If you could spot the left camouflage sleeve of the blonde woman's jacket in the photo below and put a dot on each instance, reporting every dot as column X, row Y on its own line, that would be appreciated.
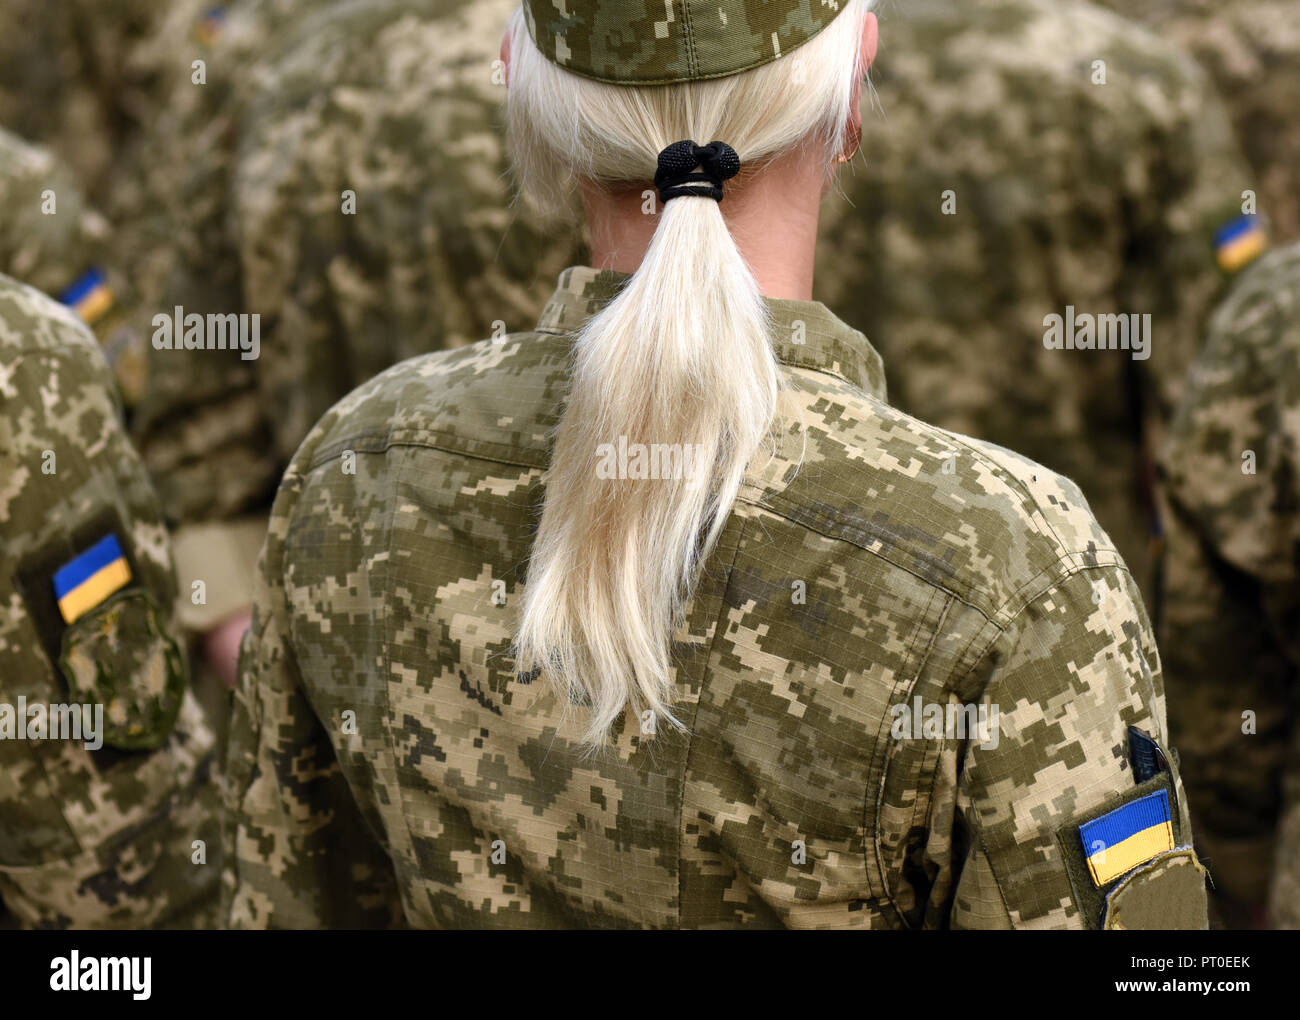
column 302, row 856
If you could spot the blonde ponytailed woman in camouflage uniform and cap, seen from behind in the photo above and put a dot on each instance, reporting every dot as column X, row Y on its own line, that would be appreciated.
column 660, row 615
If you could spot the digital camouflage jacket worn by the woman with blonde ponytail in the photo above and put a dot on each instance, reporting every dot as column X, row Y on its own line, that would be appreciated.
column 388, row 765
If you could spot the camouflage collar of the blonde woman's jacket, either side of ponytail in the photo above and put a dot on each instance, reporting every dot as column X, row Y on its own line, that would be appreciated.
column 807, row 333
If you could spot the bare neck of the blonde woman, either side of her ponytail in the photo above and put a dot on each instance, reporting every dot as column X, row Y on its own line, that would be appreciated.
column 773, row 216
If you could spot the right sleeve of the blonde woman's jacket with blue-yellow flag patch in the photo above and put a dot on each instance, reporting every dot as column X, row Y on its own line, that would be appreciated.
column 1068, row 680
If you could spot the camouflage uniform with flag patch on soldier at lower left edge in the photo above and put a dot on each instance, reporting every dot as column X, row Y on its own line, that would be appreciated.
column 90, row 837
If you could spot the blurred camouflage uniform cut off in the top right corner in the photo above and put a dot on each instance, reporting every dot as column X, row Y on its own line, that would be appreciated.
column 1253, row 51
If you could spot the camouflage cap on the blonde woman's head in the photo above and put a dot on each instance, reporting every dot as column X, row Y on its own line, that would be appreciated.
column 661, row 42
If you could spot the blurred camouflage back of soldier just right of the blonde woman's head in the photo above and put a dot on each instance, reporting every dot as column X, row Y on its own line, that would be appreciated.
column 1068, row 193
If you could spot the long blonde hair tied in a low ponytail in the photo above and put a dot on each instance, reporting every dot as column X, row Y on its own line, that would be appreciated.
column 679, row 362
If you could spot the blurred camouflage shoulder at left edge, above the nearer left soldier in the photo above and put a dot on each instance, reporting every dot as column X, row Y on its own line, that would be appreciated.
column 51, row 240
